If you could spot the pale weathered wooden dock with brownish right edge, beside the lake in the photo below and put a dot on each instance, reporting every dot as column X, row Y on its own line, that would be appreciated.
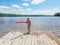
column 35, row 38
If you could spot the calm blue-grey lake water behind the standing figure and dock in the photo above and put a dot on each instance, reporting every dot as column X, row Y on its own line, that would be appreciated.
column 8, row 24
